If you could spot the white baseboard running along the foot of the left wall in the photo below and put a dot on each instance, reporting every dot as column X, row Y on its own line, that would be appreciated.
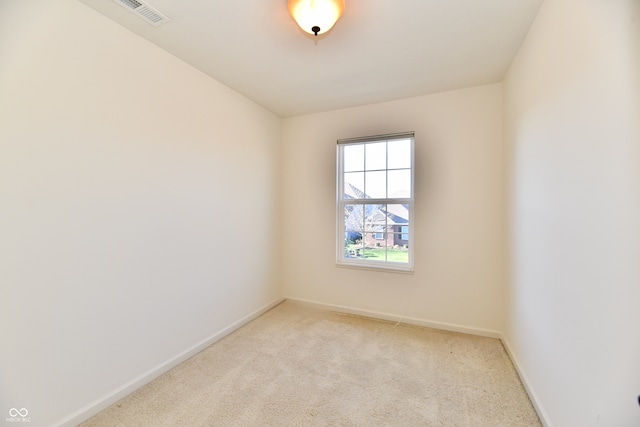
column 104, row 402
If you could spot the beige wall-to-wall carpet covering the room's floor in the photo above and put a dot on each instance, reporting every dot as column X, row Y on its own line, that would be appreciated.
column 301, row 366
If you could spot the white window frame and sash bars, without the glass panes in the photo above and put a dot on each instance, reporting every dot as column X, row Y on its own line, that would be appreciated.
column 341, row 201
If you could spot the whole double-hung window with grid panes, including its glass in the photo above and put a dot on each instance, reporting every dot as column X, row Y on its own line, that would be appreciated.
column 375, row 201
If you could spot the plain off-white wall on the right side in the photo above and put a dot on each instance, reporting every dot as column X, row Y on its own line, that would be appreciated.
column 572, row 115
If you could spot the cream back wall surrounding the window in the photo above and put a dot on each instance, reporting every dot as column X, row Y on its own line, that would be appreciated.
column 459, row 212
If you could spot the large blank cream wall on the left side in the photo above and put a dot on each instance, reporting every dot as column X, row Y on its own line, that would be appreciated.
column 138, row 208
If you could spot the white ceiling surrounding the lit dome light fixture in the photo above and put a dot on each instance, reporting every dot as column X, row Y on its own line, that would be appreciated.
column 379, row 50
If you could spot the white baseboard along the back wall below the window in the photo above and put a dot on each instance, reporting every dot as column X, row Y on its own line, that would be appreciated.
column 404, row 319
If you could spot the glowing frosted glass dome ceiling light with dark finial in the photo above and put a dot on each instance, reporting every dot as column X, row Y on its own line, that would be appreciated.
column 316, row 16
